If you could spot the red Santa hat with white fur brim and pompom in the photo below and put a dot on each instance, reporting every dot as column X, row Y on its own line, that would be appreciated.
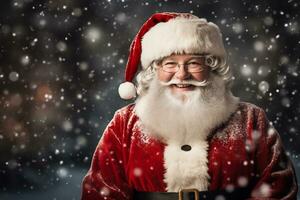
column 164, row 34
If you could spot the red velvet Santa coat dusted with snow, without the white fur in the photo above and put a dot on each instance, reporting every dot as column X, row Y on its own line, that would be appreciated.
column 243, row 152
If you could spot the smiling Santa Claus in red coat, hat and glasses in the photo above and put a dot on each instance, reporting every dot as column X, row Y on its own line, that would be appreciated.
column 186, row 136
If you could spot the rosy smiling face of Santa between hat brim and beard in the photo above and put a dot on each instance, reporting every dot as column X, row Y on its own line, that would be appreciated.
column 181, row 69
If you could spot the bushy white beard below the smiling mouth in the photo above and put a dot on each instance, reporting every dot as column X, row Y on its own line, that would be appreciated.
column 184, row 117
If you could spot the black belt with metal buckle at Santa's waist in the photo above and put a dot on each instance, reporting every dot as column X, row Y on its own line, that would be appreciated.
column 193, row 194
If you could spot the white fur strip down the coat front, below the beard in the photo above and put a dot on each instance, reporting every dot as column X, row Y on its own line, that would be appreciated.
column 186, row 169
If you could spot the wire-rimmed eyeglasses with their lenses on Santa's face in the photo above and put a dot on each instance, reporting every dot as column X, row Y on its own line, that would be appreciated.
column 194, row 65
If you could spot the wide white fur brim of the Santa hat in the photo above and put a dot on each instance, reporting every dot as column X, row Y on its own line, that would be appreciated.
column 182, row 35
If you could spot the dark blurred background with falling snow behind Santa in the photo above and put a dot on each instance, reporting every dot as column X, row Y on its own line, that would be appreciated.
column 61, row 63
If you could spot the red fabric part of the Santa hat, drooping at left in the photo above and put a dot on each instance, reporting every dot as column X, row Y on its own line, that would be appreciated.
column 136, row 45
